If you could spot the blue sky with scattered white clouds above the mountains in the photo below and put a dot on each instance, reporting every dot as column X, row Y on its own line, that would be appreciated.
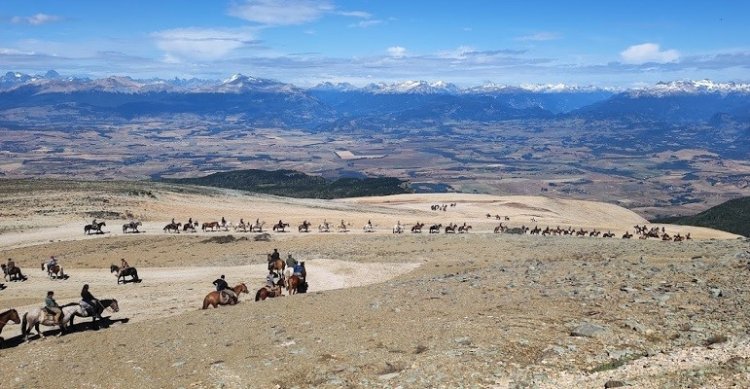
column 603, row 43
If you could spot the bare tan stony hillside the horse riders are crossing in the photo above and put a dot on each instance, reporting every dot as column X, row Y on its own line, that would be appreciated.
column 384, row 310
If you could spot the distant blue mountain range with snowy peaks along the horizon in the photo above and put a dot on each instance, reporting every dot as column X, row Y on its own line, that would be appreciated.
column 257, row 101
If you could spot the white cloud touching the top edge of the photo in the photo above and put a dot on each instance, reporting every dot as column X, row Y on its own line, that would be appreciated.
column 274, row 12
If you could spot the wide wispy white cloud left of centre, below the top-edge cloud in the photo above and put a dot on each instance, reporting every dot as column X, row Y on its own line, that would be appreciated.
column 198, row 43
